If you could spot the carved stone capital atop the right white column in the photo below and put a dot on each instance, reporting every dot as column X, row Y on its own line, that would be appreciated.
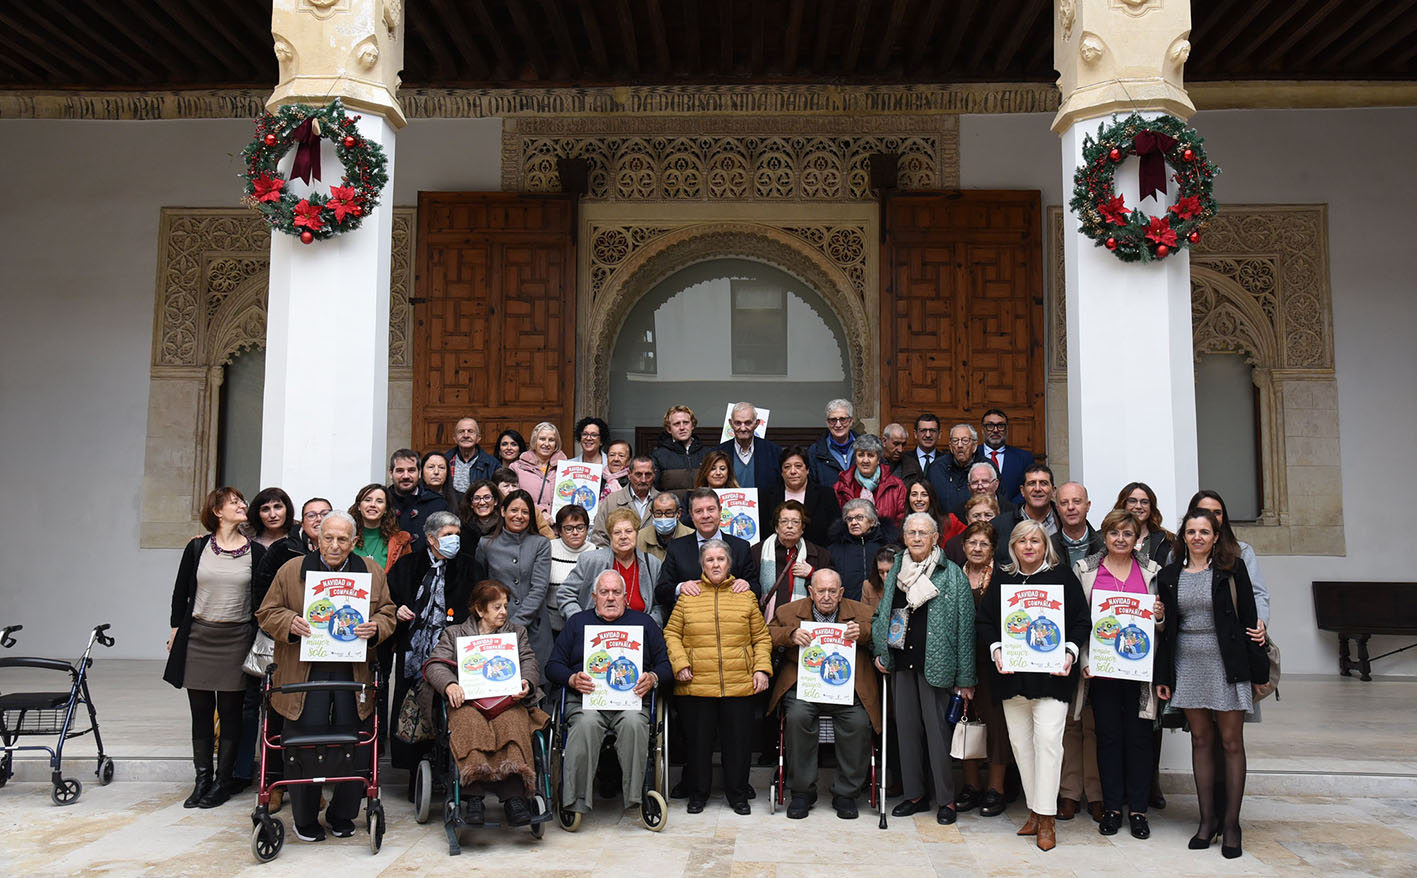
column 1122, row 56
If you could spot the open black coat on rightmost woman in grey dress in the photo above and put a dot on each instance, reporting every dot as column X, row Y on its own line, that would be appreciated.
column 1245, row 659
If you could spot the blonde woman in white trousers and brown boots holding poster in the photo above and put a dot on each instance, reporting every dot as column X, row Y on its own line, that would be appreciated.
column 1034, row 620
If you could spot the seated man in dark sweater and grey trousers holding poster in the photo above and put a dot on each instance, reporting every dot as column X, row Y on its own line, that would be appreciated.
column 614, row 656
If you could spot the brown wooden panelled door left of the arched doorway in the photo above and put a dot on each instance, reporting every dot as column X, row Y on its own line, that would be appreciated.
column 495, row 315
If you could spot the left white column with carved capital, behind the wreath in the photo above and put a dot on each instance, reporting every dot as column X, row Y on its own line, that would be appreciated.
column 327, row 386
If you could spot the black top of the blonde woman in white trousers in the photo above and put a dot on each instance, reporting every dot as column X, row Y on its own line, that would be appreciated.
column 1078, row 625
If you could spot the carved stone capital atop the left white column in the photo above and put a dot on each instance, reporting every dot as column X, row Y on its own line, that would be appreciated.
column 339, row 49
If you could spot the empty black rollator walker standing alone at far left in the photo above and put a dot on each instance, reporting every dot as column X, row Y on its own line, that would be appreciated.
column 33, row 714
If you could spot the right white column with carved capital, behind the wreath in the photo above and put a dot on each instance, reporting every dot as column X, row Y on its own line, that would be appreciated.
column 1131, row 382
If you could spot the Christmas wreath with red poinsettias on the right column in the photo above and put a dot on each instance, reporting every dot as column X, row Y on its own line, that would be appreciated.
column 1130, row 233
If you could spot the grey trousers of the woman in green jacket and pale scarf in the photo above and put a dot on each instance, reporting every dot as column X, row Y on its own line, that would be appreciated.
column 922, row 722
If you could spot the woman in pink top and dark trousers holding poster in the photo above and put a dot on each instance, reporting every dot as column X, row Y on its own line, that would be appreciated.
column 1122, row 590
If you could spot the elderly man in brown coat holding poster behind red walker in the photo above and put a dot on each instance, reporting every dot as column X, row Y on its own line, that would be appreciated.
column 286, row 617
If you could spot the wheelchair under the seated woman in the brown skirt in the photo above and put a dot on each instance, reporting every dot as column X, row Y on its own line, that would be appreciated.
column 439, row 770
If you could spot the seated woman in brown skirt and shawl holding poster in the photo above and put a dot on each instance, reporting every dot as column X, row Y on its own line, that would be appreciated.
column 494, row 753
